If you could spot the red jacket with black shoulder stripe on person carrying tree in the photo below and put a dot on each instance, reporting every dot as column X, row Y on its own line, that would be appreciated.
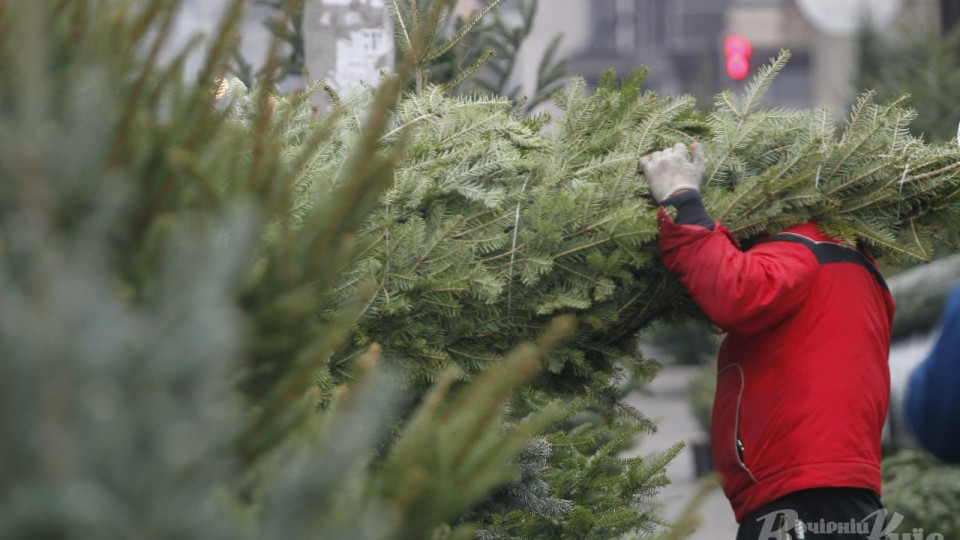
column 803, row 381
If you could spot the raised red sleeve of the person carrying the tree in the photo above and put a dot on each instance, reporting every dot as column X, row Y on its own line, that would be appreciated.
column 741, row 292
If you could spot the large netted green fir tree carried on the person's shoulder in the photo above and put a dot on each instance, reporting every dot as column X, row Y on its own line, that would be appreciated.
column 494, row 224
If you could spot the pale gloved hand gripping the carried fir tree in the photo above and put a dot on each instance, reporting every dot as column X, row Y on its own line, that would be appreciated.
column 671, row 170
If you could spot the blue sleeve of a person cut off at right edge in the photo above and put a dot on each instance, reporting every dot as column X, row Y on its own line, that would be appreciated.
column 933, row 394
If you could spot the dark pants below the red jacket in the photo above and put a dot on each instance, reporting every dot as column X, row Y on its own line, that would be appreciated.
column 826, row 514
